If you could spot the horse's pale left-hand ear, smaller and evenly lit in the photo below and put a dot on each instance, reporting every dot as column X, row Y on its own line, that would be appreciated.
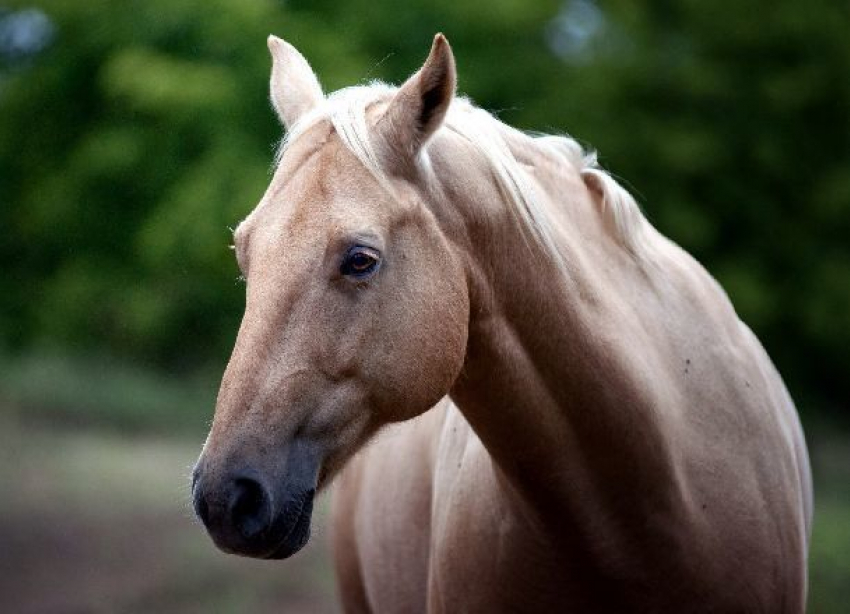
column 294, row 88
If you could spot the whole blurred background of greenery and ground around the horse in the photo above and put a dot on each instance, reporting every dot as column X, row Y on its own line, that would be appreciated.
column 134, row 134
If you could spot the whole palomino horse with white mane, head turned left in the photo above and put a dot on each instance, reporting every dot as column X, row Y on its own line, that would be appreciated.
column 616, row 440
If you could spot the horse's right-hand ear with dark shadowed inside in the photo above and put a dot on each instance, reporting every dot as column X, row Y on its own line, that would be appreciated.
column 420, row 105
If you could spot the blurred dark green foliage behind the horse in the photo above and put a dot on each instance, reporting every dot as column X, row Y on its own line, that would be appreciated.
column 142, row 131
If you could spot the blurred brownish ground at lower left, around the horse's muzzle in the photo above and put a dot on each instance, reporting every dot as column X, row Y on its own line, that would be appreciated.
column 91, row 522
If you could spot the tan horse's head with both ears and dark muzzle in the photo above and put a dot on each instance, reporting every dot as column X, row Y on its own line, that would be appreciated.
column 356, row 315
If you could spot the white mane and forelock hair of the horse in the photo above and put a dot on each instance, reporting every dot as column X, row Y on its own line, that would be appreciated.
column 347, row 111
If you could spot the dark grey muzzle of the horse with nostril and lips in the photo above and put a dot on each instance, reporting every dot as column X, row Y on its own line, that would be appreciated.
column 245, row 514
